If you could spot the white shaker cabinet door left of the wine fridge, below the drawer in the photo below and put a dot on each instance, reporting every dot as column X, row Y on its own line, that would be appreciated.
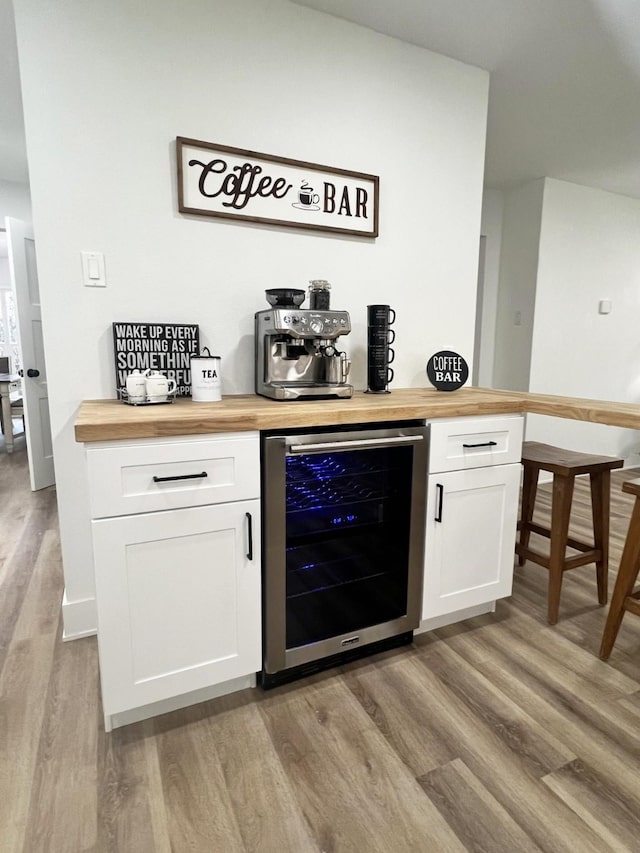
column 178, row 601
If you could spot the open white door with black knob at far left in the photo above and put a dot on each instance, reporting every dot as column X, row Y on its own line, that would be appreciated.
column 24, row 281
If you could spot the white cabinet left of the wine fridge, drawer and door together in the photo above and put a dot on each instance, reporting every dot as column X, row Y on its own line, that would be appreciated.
column 177, row 590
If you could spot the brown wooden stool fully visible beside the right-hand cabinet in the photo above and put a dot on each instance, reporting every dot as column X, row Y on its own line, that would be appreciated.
column 565, row 465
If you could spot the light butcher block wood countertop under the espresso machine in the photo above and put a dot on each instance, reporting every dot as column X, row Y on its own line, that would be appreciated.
column 111, row 420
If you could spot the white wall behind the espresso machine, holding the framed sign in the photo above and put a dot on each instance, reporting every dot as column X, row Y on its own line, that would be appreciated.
column 106, row 89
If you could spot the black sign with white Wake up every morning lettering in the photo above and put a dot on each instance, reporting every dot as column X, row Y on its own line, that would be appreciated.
column 167, row 347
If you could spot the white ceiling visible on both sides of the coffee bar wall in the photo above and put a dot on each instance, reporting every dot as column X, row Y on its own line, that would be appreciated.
column 565, row 81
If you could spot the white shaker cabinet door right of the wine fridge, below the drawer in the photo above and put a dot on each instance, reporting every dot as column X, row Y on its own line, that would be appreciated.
column 470, row 538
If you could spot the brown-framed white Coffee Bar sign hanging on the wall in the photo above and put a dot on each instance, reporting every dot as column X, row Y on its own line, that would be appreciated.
column 215, row 180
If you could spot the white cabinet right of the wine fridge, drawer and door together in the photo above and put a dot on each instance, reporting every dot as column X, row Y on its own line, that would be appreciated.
column 471, row 513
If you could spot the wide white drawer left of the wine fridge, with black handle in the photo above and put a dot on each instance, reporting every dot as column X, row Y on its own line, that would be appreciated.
column 147, row 476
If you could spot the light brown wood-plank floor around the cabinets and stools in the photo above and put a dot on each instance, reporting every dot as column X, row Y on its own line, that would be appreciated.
column 497, row 734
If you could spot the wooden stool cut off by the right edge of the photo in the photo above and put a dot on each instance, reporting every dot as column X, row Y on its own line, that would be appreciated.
column 623, row 597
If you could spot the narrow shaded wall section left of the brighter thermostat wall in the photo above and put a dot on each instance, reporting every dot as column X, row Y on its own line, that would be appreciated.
column 517, row 289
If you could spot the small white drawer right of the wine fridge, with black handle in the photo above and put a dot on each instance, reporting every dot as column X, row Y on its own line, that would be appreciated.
column 462, row 443
